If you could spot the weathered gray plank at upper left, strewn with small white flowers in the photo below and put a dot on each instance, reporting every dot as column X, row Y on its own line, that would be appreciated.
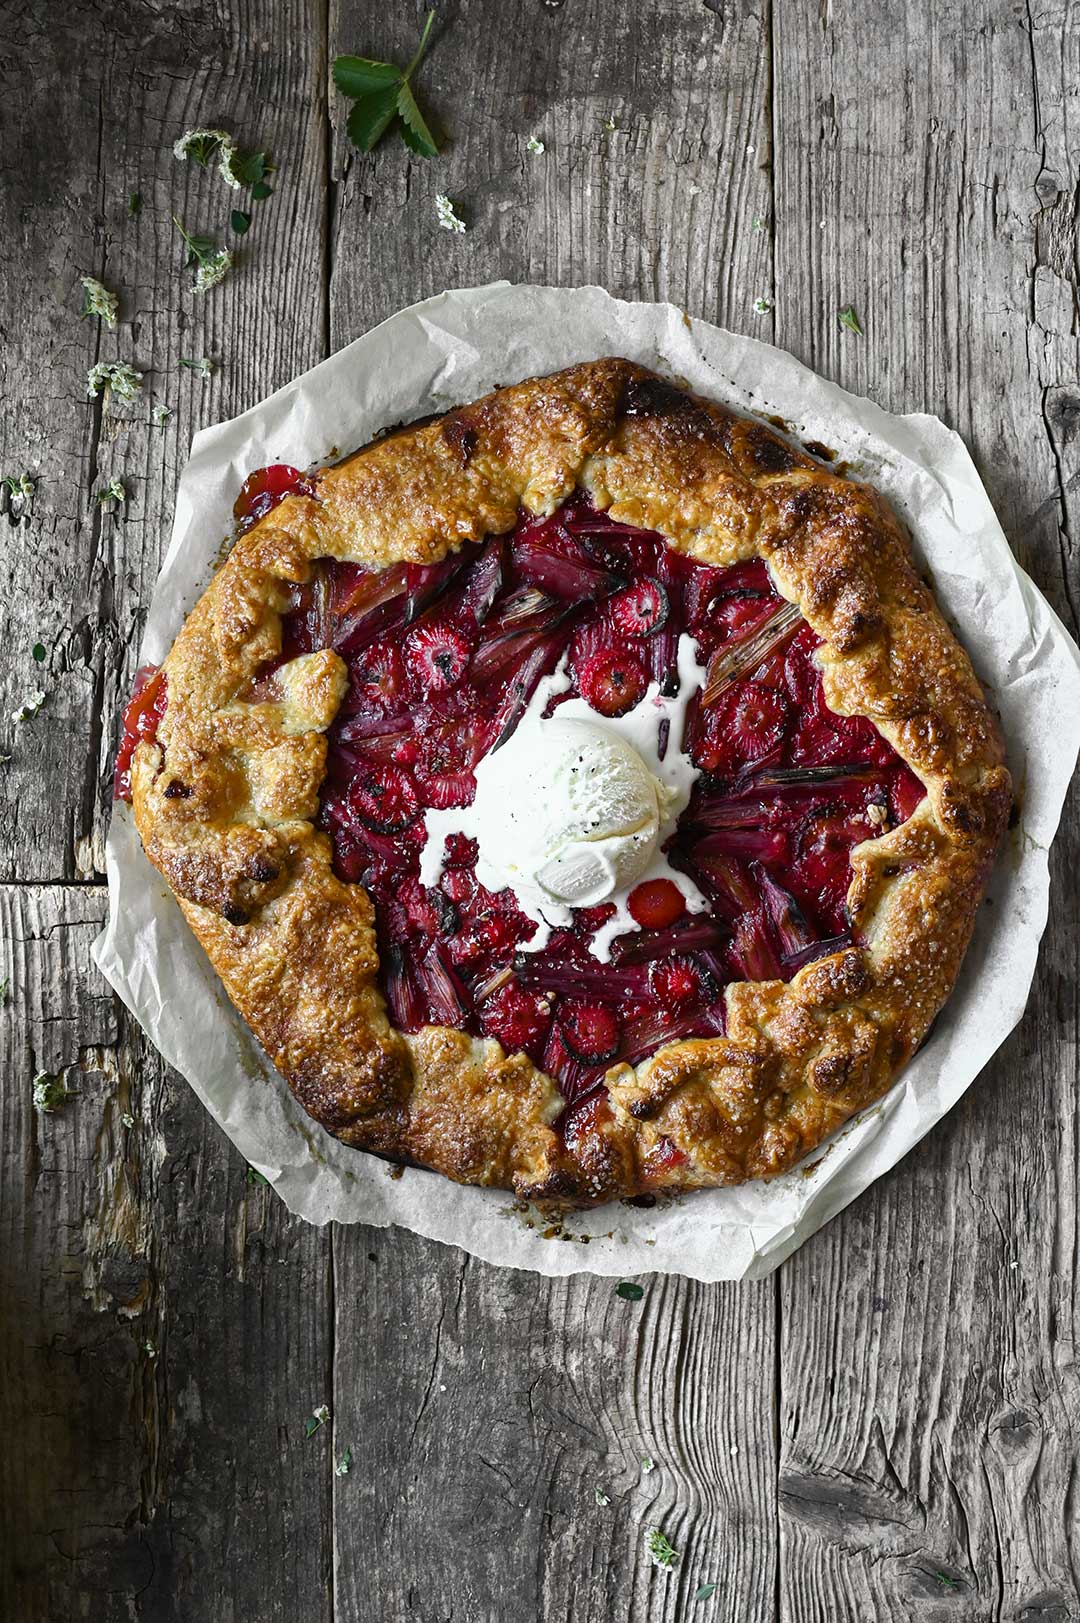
column 79, row 579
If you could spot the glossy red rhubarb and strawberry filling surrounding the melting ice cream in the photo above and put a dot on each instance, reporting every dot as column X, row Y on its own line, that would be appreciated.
column 444, row 661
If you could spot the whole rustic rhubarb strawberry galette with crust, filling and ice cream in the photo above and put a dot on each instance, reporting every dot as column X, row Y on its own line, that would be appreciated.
column 579, row 794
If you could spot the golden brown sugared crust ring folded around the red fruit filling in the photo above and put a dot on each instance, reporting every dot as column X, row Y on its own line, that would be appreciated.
column 227, row 796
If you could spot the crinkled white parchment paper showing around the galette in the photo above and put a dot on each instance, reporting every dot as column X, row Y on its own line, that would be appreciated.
column 443, row 353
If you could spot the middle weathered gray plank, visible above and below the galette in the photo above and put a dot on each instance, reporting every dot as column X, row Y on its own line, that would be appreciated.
column 485, row 1410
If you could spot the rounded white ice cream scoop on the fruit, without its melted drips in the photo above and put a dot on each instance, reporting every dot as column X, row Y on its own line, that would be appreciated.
column 568, row 809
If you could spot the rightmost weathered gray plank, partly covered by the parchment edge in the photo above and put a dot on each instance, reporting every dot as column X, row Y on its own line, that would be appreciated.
column 930, row 1406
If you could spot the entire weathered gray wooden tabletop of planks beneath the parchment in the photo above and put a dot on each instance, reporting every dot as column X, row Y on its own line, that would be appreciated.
column 888, row 1429
